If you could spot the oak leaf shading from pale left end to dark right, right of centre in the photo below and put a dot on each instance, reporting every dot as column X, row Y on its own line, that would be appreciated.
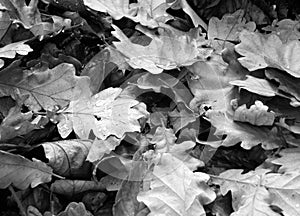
column 248, row 135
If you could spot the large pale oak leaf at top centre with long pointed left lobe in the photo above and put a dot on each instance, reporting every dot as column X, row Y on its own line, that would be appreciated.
column 169, row 50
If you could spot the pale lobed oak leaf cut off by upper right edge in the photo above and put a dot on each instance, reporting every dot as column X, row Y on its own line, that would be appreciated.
column 259, row 51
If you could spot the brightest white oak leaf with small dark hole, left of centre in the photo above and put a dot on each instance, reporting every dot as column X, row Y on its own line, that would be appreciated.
column 103, row 113
